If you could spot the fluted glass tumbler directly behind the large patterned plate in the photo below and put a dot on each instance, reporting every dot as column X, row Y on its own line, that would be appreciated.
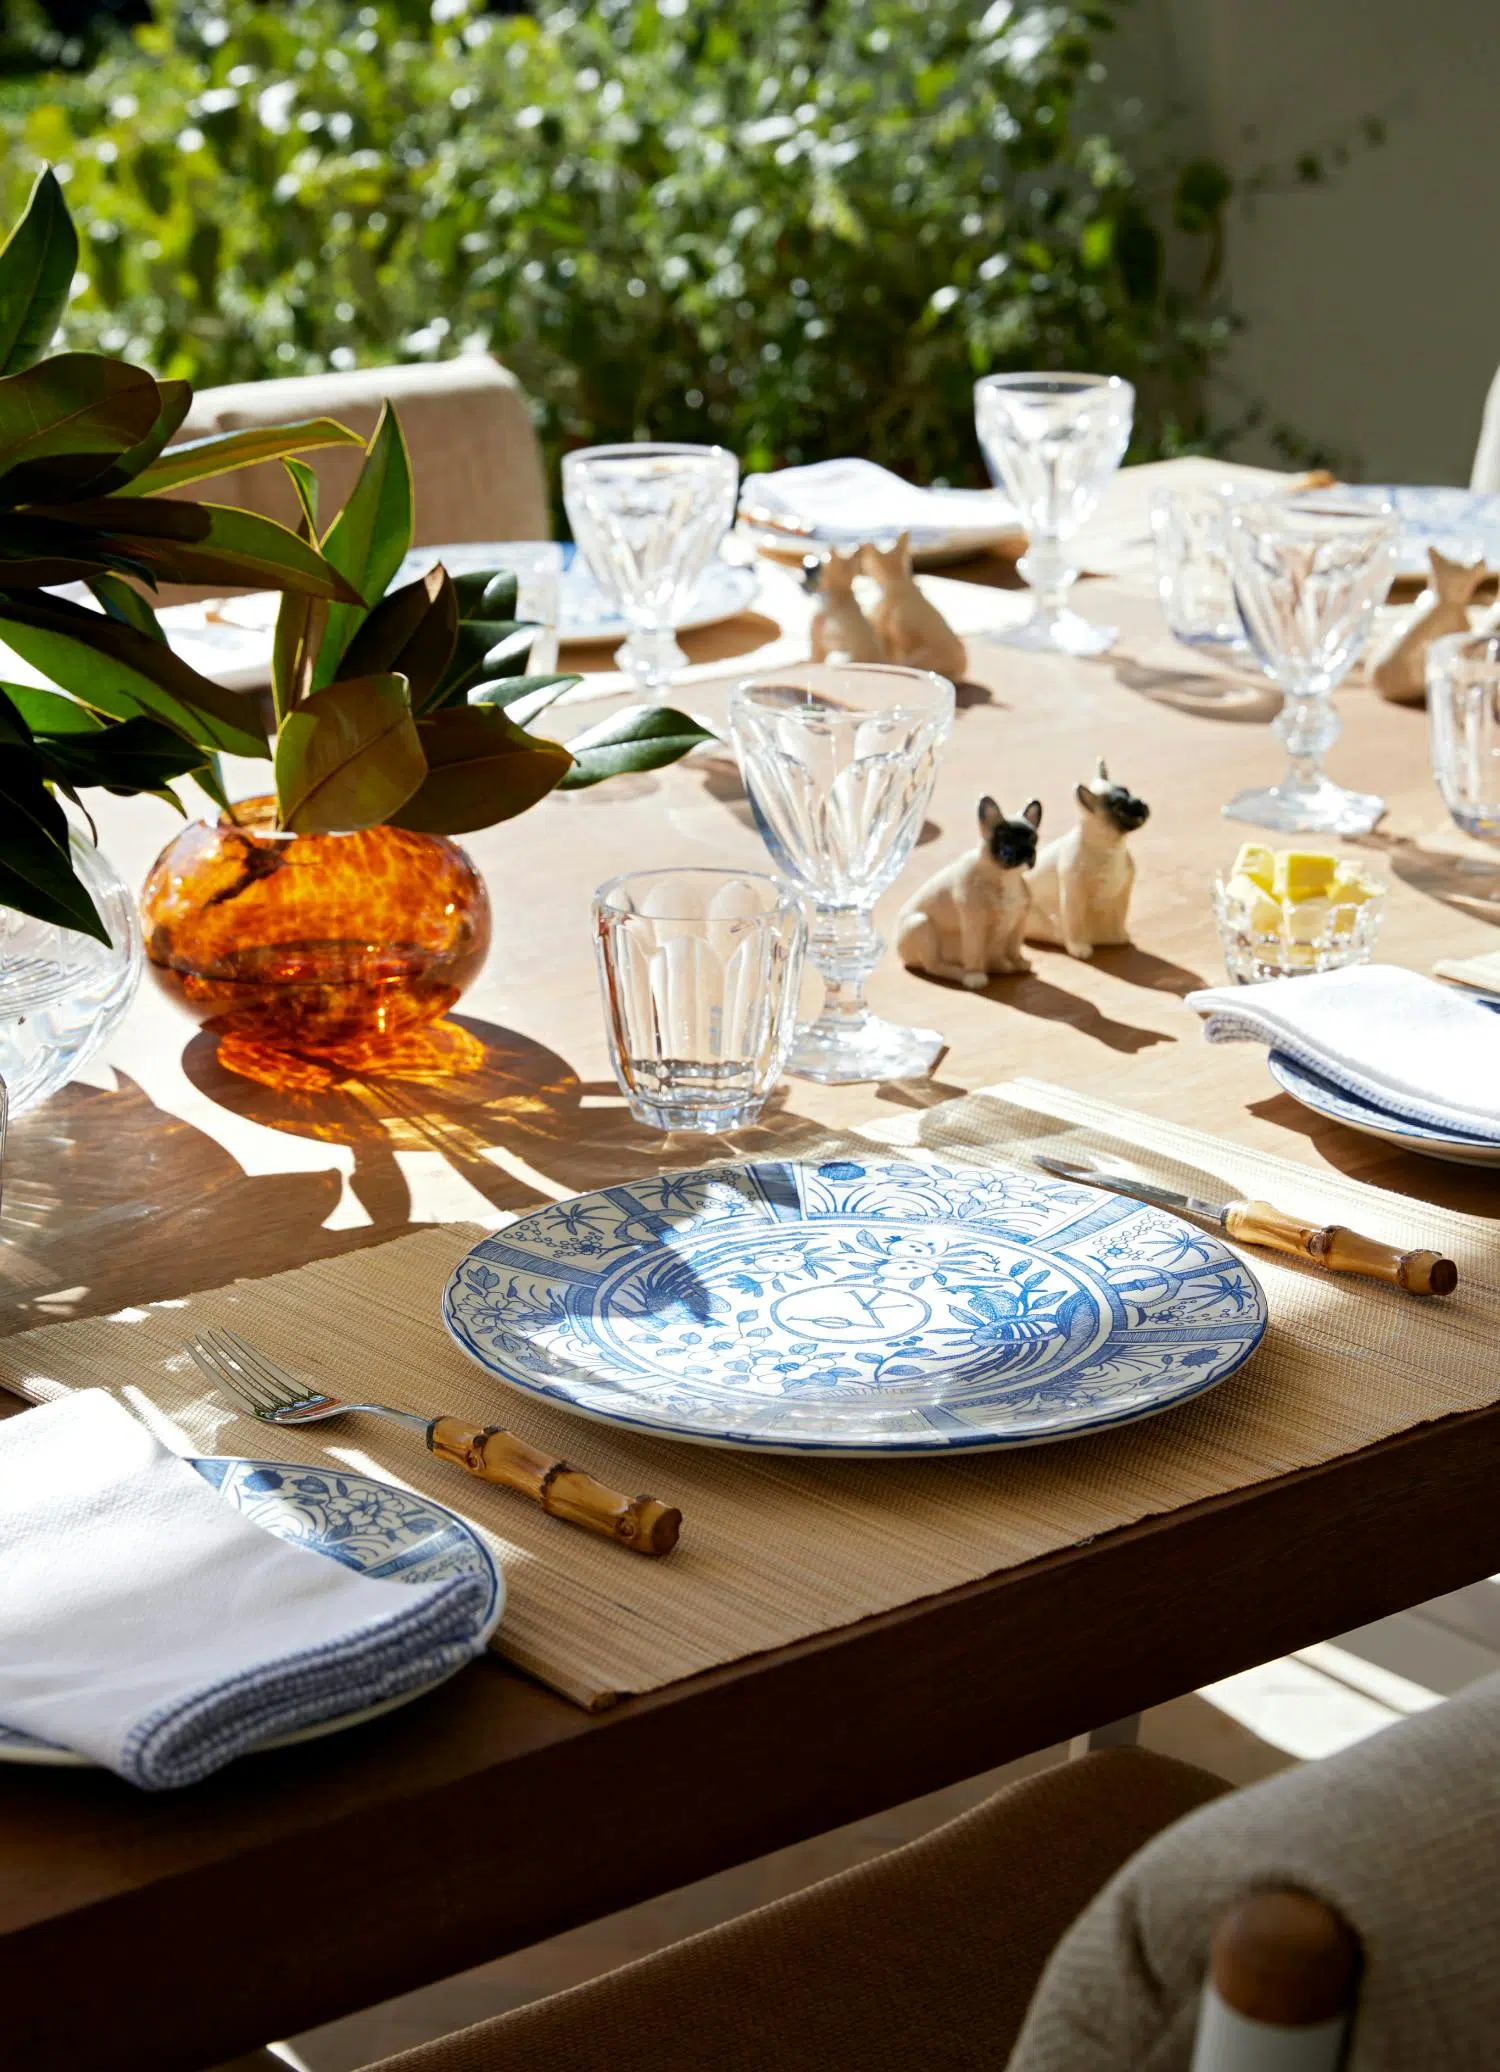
column 699, row 975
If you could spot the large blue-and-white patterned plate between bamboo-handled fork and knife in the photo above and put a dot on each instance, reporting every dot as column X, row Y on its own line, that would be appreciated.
column 857, row 1308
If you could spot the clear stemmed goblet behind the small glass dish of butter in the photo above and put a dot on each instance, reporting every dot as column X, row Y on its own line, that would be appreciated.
column 1308, row 577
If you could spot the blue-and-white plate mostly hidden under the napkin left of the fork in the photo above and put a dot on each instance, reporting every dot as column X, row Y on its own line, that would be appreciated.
column 366, row 1524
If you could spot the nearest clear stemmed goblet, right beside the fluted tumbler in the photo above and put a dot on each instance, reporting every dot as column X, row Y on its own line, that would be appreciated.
column 838, row 764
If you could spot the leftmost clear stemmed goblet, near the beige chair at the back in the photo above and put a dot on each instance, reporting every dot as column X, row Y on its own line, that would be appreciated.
column 650, row 519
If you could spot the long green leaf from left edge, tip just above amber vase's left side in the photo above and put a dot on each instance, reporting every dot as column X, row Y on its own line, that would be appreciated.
column 123, row 672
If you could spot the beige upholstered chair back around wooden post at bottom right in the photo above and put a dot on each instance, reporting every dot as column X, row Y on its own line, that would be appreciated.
column 1400, row 1835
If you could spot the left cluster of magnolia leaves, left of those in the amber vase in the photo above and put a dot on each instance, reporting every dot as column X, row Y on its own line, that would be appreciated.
column 82, row 449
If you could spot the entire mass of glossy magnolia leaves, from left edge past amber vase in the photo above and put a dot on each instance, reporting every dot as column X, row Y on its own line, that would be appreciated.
column 401, row 708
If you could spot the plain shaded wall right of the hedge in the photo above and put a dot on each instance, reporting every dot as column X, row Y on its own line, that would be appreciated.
column 1375, row 304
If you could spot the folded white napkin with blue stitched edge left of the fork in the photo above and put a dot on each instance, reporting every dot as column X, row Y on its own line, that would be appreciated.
column 152, row 1628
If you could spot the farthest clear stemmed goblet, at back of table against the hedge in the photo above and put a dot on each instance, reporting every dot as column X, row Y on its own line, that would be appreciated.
column 1051, row 442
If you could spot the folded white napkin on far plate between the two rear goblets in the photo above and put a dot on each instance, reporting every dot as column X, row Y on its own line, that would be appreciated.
column 857, row 500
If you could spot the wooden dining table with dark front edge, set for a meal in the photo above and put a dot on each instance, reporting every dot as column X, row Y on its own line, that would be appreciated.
column 173, row 1932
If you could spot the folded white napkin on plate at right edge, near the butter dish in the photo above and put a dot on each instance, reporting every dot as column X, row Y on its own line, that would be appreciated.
column 1404, row 1043
